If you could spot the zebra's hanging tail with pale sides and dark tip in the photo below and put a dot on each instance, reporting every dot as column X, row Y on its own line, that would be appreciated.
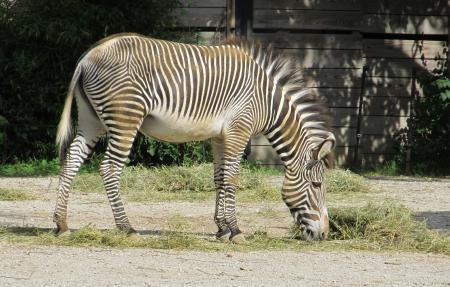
column 64, row 132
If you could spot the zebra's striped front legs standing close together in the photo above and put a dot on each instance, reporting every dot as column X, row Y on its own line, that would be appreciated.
column 233, row 144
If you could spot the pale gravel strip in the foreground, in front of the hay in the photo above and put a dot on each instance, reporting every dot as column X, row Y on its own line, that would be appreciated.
column 57, row 266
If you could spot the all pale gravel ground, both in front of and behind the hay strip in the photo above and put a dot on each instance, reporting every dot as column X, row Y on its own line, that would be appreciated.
column 62, row 266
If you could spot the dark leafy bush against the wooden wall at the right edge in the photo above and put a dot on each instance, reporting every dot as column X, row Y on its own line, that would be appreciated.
column 428, row 132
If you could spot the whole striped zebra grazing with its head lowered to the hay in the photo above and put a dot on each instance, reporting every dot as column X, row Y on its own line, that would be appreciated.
column 175, row 92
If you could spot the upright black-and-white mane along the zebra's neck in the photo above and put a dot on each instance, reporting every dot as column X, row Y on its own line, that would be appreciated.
column 286, row 72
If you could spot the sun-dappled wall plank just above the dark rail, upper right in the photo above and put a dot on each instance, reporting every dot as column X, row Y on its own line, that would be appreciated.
column 404, row 24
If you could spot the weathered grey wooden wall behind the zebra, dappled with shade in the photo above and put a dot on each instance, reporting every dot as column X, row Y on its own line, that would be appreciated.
column 333, row 40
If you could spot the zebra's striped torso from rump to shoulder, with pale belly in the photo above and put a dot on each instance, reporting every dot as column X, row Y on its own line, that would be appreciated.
column 178, row 87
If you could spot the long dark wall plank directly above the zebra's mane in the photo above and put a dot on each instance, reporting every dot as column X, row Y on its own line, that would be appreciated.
column 285, row 39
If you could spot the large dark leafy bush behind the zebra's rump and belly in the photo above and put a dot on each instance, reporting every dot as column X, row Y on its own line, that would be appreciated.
column 41, row 43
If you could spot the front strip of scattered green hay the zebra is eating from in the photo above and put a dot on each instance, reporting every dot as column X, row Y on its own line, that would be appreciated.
column 372, row 228
